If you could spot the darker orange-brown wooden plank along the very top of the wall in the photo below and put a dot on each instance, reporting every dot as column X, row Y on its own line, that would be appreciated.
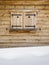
column 24, row 2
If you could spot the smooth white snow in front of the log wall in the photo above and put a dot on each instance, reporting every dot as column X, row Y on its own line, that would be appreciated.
column 25, row 56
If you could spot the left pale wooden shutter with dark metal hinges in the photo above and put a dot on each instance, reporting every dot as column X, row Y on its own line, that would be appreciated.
column 16, row 20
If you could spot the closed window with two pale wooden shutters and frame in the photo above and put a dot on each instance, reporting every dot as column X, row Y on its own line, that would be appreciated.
column 23, row 21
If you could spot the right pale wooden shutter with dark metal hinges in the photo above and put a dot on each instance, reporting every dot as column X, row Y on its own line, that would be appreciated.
column 30, row 19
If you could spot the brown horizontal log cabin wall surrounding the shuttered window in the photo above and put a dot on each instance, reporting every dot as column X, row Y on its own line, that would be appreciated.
column 34, row 38
